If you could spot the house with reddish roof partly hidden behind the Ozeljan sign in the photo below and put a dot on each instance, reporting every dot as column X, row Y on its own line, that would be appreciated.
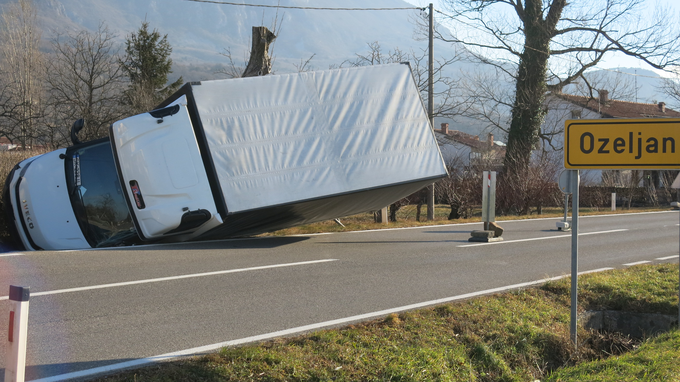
column 562, row 107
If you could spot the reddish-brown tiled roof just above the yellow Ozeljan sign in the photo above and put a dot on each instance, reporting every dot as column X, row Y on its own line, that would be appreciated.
column 620, row 109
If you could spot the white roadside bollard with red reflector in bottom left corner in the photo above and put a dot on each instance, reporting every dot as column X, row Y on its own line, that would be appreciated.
column 17, row 334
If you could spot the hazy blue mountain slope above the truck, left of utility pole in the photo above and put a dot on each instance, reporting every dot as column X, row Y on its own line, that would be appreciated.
column 199, row 31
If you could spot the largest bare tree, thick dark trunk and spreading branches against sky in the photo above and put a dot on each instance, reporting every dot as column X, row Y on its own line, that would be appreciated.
column 547, row 44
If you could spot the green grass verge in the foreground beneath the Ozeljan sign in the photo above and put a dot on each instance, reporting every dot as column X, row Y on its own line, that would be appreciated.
column 516, row 336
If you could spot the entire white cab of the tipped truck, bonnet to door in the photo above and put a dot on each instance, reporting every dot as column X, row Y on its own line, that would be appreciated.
column 148, row 185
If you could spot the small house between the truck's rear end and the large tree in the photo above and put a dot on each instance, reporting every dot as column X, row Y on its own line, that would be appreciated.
column 459, row 148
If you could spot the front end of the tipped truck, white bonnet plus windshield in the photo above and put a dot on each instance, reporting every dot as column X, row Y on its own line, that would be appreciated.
column 68, row 199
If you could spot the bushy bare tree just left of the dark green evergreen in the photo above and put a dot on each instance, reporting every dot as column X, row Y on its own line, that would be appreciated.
column 84, row 80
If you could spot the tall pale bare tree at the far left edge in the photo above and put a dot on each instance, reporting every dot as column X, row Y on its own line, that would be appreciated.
column 22, row 71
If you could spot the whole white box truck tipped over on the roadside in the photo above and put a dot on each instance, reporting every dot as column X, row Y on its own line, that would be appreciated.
column 231, row 158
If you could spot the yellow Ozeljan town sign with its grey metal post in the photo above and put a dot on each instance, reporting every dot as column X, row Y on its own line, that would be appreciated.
column 604, row 144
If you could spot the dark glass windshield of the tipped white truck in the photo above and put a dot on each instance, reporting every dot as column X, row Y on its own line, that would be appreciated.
column 96, row 196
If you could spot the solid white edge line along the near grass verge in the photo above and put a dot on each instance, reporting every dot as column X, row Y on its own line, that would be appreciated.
column 291, row 331
